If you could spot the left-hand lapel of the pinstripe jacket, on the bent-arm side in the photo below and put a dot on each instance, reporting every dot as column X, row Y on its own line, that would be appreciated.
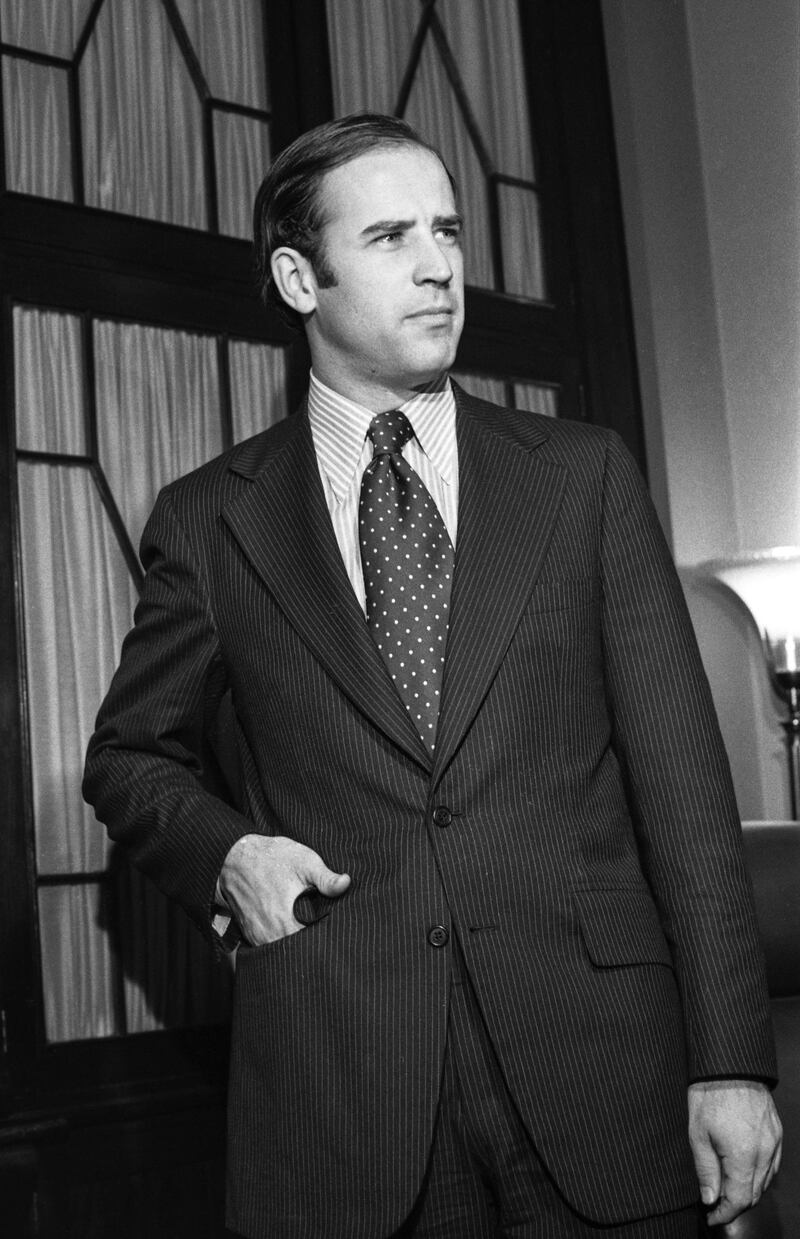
column 283, row 525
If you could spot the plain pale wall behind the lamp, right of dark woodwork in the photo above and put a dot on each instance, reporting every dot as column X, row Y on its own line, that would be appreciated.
column 708, row 120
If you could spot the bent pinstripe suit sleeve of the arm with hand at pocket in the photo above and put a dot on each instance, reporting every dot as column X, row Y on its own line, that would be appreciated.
column 150, row 773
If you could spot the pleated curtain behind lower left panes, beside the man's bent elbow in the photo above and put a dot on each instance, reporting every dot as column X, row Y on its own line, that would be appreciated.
column 117, row 957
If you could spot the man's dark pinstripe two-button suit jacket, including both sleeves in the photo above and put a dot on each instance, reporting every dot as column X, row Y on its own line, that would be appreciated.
column 590, row 860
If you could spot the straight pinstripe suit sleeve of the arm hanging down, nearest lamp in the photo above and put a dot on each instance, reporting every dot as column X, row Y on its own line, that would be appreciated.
column 668, row 740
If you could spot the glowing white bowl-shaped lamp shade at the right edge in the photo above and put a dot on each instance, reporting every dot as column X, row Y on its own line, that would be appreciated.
column 768, row 584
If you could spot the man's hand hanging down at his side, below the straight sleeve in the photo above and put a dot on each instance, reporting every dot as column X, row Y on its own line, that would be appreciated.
column 736, row 1136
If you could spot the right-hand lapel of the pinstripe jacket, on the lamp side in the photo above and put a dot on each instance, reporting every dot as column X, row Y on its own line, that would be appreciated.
column 508, row 504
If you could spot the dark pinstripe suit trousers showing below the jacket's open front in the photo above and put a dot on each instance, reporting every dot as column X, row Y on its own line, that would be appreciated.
column 485, row 1179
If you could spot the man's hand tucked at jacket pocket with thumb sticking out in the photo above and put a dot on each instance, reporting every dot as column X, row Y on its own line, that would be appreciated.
column 262, row 878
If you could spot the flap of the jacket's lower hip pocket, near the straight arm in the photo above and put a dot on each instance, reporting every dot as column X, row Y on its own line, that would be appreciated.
column 621, row 929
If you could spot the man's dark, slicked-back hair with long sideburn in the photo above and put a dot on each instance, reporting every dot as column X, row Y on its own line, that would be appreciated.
column 288, row 208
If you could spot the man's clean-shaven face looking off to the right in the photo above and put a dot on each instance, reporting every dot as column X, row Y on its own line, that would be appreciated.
column 393, row 319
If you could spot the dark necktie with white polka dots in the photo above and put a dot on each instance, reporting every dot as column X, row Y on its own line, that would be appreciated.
column 408, row 561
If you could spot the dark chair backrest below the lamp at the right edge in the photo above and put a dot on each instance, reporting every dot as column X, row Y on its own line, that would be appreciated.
column 773, row 857
